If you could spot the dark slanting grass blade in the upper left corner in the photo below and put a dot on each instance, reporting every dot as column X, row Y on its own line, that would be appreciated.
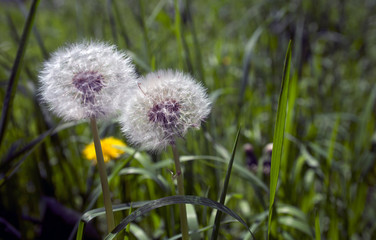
column 16, row 69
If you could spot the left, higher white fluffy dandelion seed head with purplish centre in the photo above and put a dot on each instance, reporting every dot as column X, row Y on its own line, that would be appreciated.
column 86, row 80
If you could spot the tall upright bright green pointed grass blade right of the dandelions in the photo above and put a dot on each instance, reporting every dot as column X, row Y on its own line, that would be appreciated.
column 279, row 132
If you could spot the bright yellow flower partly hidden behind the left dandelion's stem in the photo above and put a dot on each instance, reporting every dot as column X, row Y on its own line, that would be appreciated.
column 110, row 147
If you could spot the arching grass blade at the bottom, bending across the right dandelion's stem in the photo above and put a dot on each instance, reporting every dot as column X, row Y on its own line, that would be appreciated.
column 166, row 201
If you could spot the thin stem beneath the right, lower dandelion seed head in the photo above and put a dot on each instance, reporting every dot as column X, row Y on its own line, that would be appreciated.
column 180, row 179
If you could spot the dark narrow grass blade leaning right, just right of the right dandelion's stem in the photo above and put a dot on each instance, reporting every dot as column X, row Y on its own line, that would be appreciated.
column 224, row 191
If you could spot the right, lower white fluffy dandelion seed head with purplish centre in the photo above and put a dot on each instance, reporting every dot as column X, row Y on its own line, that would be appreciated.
column 164, row 107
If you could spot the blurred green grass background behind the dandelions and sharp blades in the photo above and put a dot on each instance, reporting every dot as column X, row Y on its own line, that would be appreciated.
column 237, row 50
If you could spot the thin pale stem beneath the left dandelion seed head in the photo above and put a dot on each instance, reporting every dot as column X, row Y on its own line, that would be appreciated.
column 103, row 176
